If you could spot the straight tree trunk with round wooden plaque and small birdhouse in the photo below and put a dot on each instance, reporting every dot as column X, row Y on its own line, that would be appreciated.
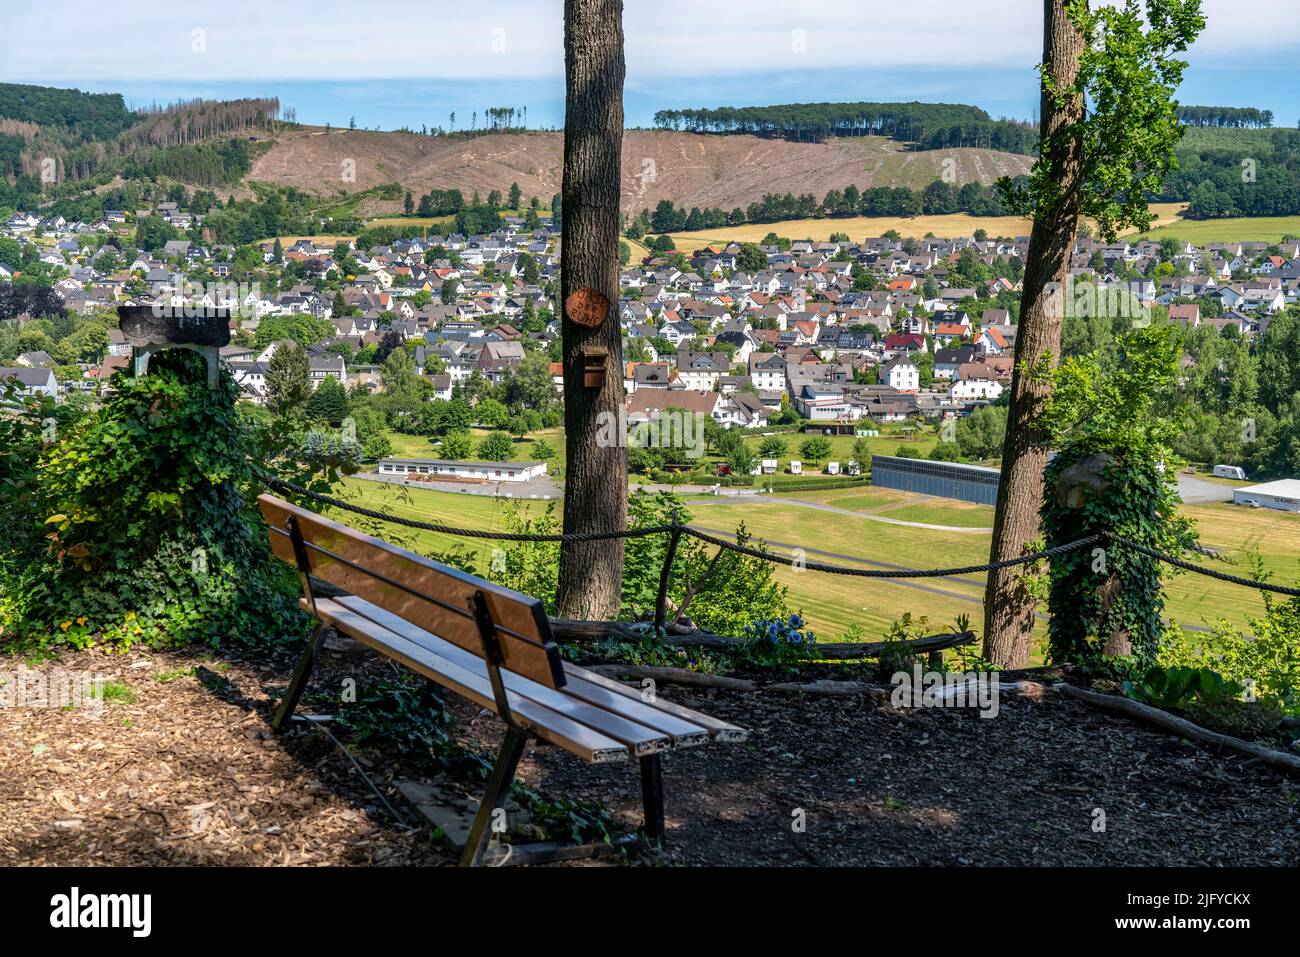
column 596, row 482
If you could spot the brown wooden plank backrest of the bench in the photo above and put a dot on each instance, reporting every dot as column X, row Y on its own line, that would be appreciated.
column 434, row 596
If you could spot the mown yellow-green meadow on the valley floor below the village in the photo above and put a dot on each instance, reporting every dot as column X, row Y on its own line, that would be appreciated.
column 835, row 604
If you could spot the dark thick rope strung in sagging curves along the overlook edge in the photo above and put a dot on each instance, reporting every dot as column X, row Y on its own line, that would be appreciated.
column 682, row 530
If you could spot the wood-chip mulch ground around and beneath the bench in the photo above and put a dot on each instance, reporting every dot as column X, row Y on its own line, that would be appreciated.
column 189, row 773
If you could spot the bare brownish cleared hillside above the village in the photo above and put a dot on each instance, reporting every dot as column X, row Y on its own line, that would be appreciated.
column 691, row 170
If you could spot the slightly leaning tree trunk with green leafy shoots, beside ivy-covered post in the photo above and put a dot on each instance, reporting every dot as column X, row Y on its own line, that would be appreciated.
column 1009, row 613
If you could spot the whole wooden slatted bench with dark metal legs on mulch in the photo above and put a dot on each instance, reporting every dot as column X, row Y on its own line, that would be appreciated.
column 486, row 643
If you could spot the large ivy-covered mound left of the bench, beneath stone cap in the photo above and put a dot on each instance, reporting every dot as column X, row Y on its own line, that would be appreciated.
column 146, row 529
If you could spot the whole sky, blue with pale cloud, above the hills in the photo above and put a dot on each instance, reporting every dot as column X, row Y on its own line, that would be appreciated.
column 393, row 66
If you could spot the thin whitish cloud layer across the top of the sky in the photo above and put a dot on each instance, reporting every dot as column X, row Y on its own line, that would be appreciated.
column 70, row 41
